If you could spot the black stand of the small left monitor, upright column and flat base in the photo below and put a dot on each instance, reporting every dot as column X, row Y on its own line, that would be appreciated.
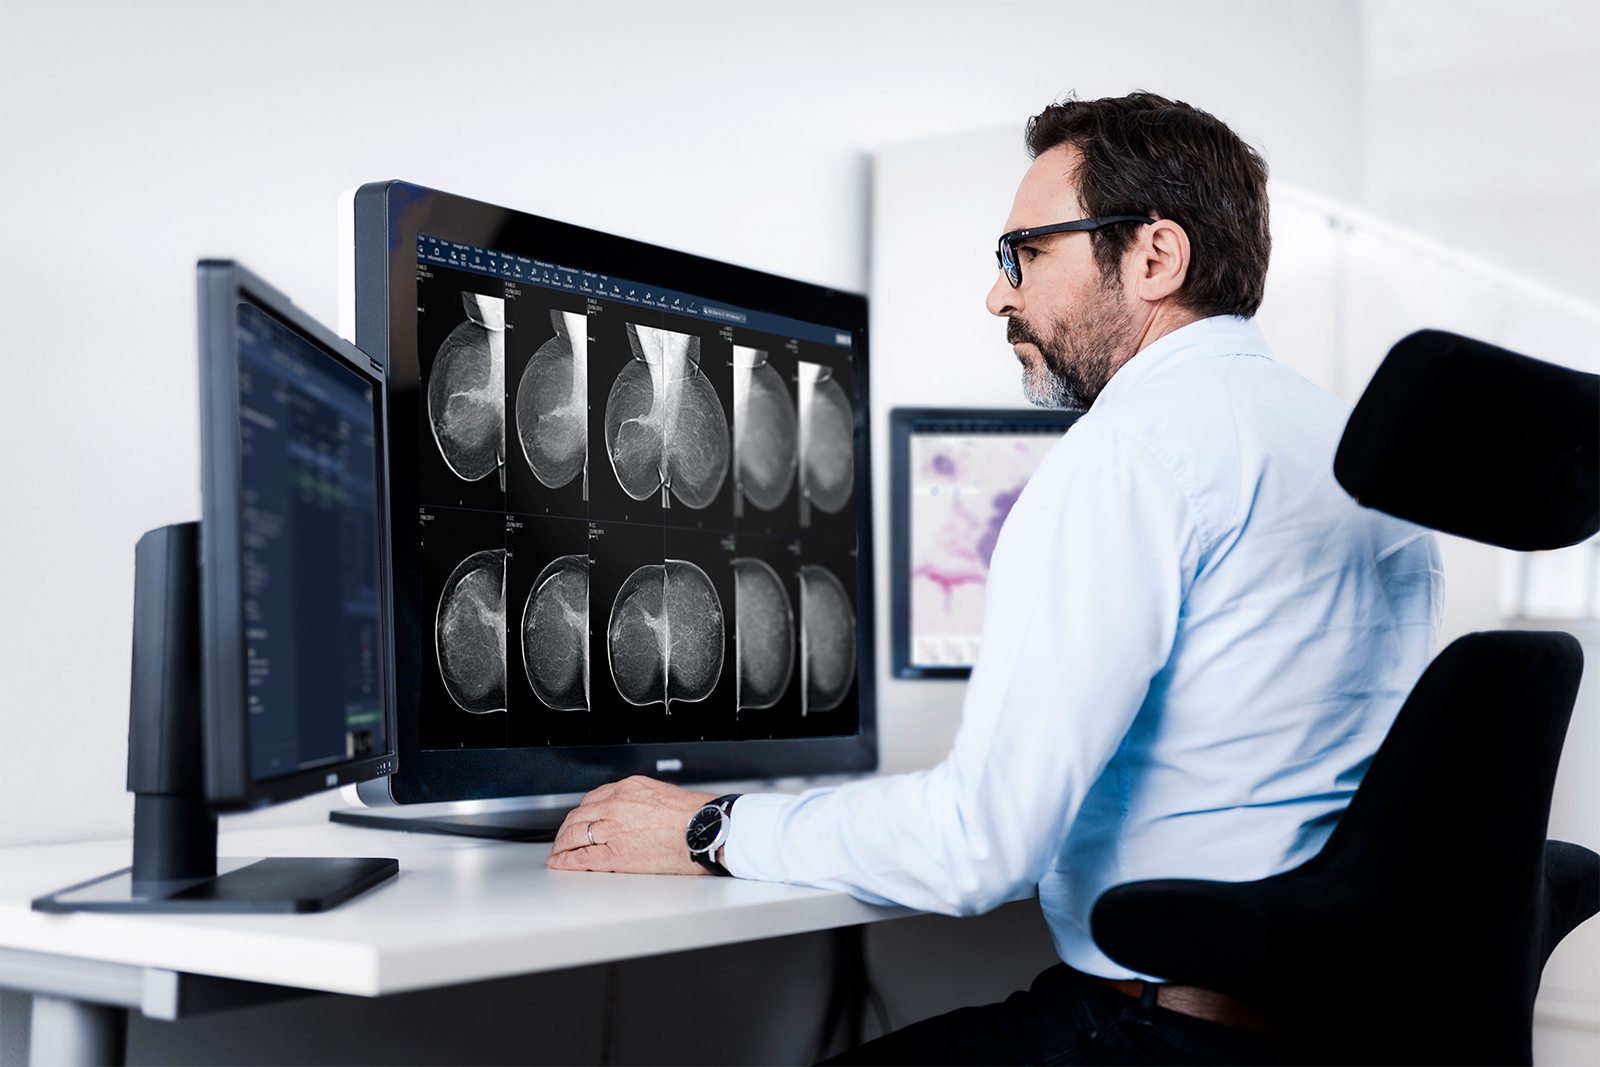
column 175, row 865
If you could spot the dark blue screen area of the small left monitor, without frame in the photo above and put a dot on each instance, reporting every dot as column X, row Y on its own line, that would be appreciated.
column 311, row 524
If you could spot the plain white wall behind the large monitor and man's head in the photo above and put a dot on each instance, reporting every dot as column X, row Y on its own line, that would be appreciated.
column 142, row 137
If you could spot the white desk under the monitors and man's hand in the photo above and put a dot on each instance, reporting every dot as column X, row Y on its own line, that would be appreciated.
column 460, row 911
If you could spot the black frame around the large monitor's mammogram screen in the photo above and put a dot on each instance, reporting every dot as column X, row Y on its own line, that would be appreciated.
column 388, row 218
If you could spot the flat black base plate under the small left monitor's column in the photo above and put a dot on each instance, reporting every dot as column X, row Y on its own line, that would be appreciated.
column 242, row 885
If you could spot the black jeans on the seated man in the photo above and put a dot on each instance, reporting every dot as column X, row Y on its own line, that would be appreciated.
column 1070, row 1018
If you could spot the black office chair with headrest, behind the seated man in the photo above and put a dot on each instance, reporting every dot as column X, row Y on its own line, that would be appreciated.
column 1420, row 932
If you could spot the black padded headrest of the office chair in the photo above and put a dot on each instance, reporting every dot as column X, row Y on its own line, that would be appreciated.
column 1479, row 442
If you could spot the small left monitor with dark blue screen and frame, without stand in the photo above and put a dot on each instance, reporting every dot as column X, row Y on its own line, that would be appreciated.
column 297, row 665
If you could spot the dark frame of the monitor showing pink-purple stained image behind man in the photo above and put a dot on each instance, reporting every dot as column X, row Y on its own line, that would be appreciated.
column 903, row 423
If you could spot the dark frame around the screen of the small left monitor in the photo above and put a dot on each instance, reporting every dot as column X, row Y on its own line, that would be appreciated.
column 223, row 286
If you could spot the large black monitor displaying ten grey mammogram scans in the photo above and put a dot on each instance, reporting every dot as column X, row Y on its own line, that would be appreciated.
column 630, row 487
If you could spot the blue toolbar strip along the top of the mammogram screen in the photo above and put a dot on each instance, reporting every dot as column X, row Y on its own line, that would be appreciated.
column 554, row 276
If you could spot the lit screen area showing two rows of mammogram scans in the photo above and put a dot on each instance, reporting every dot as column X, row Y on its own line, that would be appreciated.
column 633, row 511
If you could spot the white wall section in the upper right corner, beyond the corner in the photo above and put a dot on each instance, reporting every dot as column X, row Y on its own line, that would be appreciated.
column 1479, row 129
